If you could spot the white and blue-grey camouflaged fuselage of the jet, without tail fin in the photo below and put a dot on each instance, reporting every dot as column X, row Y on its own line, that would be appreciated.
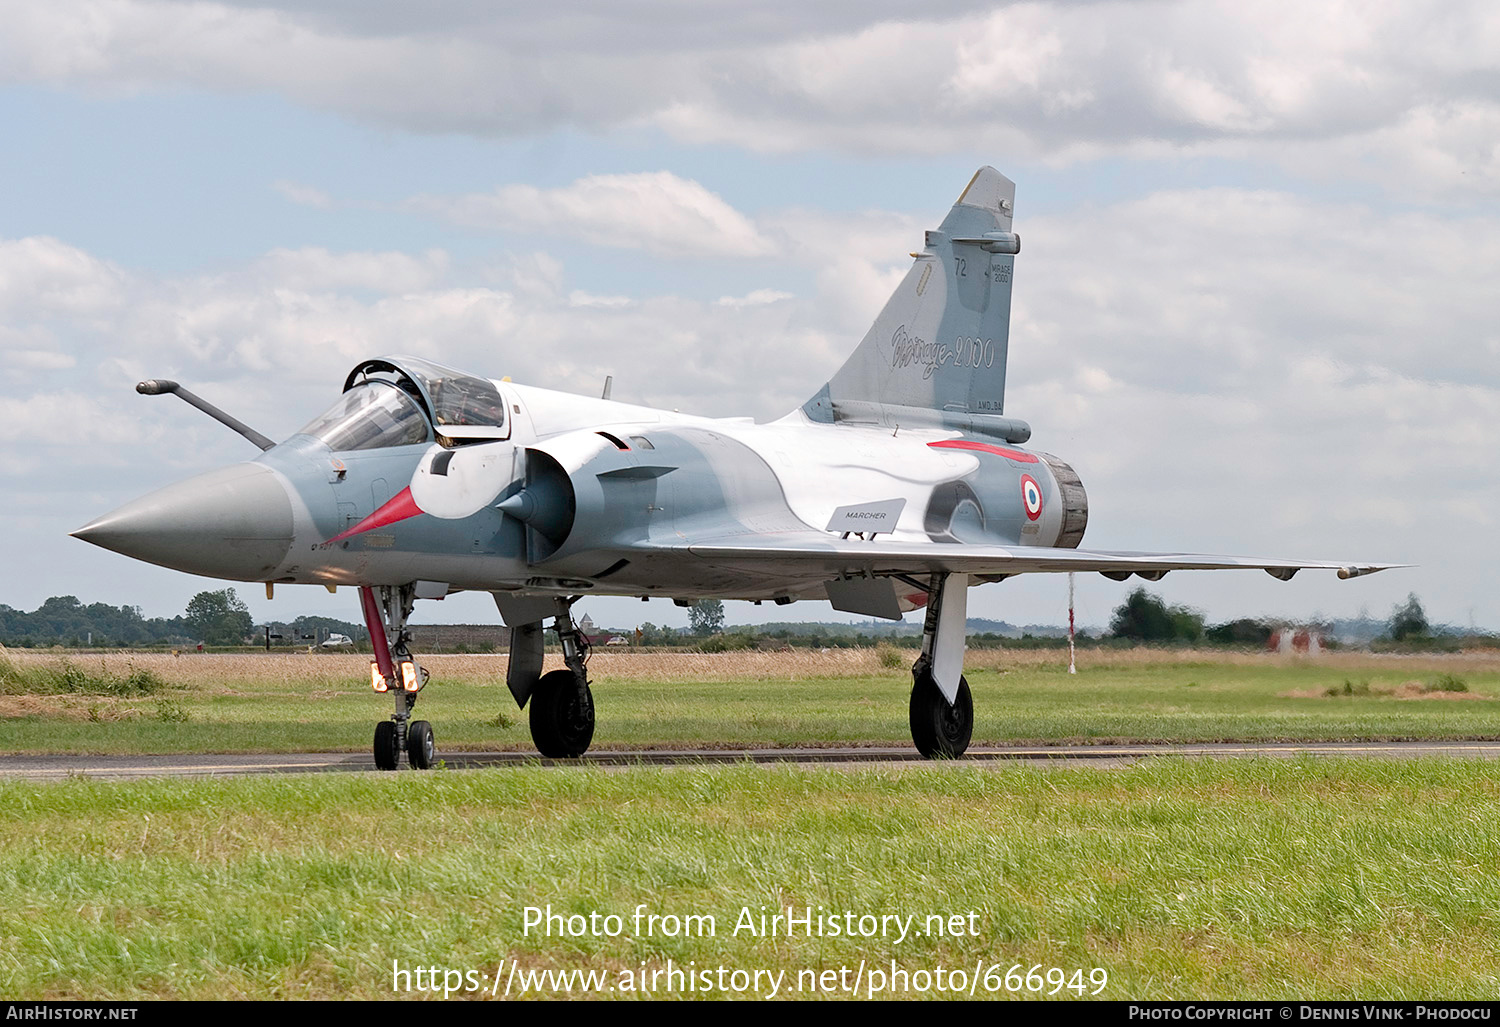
column 637, row 475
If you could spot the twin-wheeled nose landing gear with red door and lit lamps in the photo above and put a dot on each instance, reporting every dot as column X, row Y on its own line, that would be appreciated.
column 397, row 671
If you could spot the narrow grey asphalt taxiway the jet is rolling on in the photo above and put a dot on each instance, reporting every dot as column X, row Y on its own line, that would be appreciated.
column 55, row 768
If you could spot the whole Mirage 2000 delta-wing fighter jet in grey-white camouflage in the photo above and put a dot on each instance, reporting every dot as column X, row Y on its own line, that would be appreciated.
column 899, row 485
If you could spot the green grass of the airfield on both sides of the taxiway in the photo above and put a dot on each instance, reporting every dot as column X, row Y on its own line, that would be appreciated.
column 1261, row 879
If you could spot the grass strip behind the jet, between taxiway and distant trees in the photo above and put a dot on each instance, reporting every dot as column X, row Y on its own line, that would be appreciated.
column 290, row 702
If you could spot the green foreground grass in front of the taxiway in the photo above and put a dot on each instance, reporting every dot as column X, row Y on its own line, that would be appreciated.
column 1261, row 879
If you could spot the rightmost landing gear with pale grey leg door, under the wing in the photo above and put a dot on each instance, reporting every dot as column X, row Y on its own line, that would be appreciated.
column 943, row 707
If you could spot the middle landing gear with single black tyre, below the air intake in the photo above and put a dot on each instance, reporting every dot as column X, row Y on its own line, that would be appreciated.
column 562, row 701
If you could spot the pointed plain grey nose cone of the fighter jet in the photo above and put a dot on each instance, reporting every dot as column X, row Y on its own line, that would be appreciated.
column 235, row 522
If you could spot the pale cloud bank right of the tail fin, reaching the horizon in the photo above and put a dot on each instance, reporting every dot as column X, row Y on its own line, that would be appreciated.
column 1249, row 371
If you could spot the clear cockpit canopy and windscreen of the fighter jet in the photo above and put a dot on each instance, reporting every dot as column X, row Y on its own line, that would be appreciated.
column 403, row 401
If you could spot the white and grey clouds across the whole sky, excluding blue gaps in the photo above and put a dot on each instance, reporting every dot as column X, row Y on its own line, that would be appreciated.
column 1222, row 365
